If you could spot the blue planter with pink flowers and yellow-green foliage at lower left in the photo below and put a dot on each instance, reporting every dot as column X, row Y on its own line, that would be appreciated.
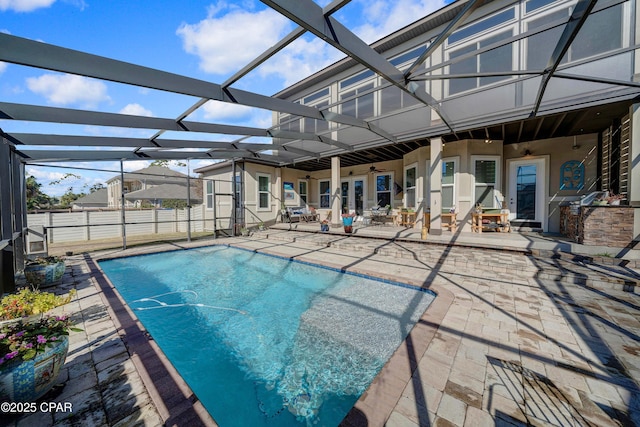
column 33, row 347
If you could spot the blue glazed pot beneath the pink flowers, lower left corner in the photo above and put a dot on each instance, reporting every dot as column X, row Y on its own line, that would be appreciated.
column 27, row 381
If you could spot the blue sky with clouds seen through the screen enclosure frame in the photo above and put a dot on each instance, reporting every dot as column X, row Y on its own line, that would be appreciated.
column 206, row 40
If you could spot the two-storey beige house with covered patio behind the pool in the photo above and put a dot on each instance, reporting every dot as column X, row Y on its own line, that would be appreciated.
column 527, row 165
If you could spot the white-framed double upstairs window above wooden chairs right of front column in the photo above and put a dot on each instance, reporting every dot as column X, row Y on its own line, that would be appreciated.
column 495, row 60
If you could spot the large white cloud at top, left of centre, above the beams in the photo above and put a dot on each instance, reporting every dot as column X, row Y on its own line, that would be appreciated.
column 226, row 43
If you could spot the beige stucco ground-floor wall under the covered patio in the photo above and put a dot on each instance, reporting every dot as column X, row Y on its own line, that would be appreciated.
column 556, row 151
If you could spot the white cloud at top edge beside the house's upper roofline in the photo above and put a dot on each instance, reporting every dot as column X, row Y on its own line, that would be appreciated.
column 383, row 17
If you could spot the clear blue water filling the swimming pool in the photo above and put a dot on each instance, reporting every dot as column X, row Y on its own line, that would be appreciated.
column 264, row 341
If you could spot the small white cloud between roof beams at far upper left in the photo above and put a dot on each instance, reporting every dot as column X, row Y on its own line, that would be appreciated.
column 67, row 89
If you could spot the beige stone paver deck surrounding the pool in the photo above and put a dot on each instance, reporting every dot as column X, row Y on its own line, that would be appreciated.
column 540, row 339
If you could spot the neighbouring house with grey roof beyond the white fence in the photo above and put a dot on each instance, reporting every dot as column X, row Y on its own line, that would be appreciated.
column 142, row 179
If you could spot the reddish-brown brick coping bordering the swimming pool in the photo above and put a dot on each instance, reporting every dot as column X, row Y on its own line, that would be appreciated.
column 177, row 404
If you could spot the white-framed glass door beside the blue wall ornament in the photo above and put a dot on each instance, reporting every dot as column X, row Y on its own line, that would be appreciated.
column 527, row 191
